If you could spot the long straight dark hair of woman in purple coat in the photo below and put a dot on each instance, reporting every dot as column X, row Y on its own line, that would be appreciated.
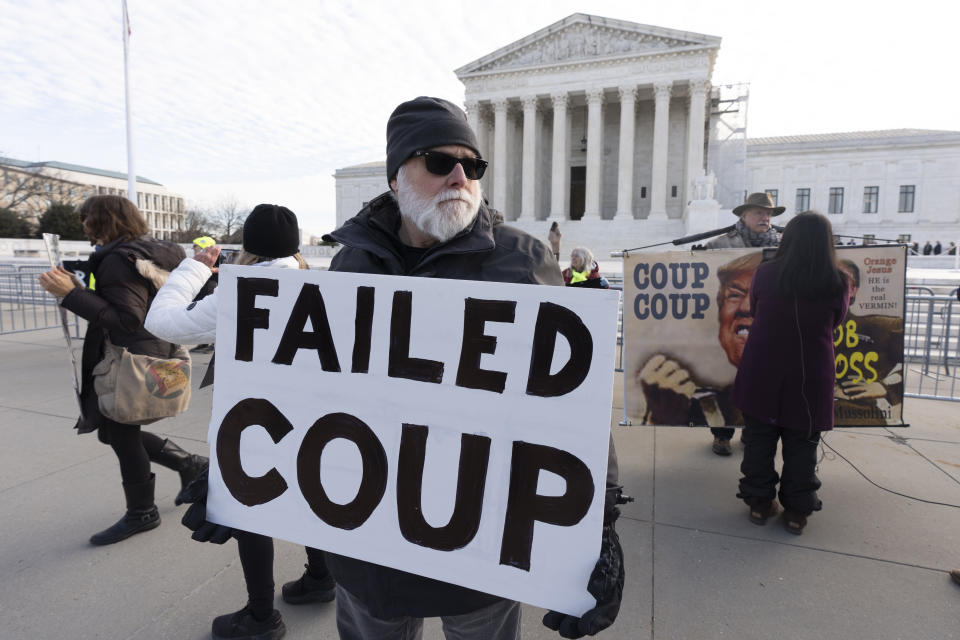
column 807, row 262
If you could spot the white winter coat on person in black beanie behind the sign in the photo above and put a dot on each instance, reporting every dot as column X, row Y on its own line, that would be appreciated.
column 174, row 316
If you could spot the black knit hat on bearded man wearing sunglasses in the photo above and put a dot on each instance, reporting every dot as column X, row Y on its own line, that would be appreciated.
column 423, row 123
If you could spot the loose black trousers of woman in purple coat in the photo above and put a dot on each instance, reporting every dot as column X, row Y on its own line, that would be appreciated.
column 798, row 481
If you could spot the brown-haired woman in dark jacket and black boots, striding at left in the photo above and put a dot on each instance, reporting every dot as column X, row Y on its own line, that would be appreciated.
column 129, row 267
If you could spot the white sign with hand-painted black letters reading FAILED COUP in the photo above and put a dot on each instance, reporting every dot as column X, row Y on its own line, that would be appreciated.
column 453, row 429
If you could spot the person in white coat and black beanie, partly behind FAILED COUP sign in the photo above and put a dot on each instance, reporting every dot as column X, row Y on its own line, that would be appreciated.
column 271, row 238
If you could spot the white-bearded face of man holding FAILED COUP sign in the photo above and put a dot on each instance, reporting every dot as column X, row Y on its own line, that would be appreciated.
column 439, row 206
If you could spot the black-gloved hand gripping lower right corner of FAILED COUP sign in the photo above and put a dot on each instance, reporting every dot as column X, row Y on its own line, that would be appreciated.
column 606, row 581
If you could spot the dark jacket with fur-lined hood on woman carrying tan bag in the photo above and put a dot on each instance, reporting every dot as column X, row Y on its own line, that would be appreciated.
column 127, row 276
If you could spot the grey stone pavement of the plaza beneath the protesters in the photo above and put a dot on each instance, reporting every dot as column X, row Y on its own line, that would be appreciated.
column 870, row 565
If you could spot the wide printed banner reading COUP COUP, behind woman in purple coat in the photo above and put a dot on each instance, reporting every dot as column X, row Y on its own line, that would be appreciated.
column 686, row 320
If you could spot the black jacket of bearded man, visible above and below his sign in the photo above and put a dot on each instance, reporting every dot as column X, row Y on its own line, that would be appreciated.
column 487, row 250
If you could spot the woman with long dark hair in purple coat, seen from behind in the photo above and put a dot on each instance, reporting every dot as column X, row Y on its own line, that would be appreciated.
column 785, row 380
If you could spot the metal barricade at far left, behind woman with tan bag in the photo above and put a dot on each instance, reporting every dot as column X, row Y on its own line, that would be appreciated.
column 24, row 305
